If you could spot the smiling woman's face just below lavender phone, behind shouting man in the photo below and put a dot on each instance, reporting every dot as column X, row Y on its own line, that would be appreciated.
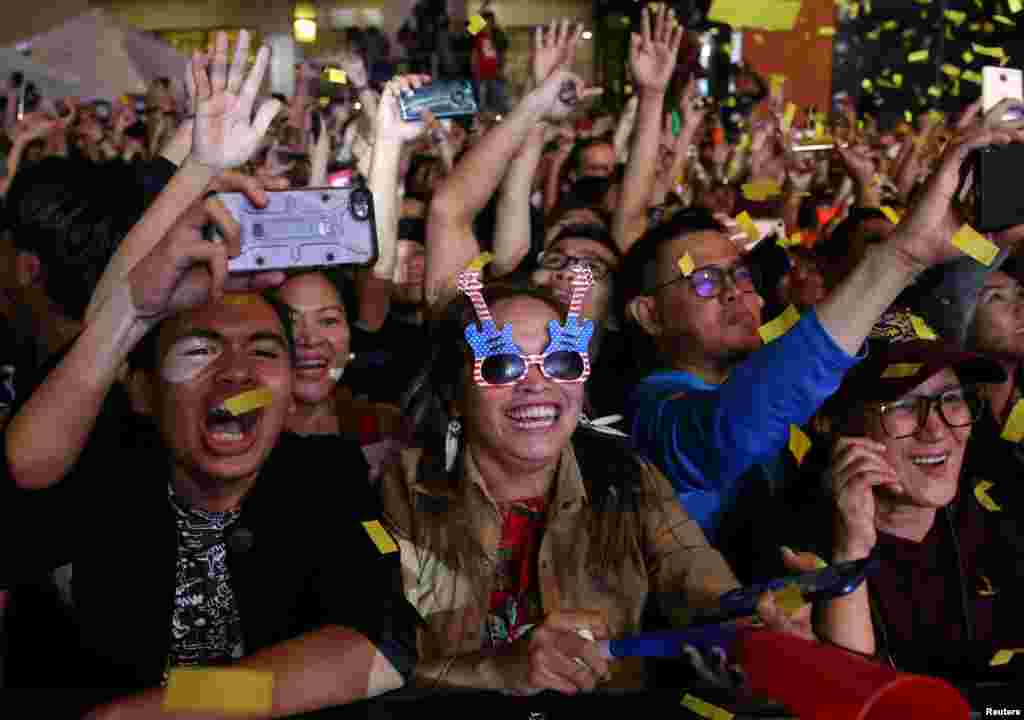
column 322, row 335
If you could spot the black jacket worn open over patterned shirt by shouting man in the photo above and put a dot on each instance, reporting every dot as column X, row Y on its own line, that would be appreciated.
column 306, row 560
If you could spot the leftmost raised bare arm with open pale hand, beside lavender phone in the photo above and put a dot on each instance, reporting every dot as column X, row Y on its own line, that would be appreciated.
column 226, row 136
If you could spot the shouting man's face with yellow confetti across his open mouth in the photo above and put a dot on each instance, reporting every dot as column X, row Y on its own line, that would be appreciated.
column 206, row 357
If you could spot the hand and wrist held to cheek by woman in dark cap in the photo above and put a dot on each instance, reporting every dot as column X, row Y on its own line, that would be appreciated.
column 859, row 467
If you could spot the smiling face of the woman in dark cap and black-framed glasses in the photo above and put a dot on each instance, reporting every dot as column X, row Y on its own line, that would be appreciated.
column 928, row 463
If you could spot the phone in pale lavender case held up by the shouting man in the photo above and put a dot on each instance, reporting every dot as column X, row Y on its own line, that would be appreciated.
column 314, row 228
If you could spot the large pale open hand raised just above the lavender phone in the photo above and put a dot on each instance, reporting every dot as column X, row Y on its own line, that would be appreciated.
column 226, row 135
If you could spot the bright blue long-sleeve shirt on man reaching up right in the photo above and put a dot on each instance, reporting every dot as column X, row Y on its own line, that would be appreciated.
column 705, row 438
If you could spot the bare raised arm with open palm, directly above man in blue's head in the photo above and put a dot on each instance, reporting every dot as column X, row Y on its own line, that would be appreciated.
column 653, row 60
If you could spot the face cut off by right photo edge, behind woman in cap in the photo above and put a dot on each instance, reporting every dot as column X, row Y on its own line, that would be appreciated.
column 999, row 321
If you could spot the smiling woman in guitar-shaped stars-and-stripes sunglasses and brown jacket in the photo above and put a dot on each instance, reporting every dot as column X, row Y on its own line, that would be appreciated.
column 518, row 528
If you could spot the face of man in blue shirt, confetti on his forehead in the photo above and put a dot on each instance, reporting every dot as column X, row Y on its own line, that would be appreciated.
column 722, row 329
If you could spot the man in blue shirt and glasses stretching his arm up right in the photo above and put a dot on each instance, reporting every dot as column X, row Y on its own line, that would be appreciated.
column 718, row 417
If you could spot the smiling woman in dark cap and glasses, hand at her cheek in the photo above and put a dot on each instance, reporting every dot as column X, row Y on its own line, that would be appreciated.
column 942, row 599
